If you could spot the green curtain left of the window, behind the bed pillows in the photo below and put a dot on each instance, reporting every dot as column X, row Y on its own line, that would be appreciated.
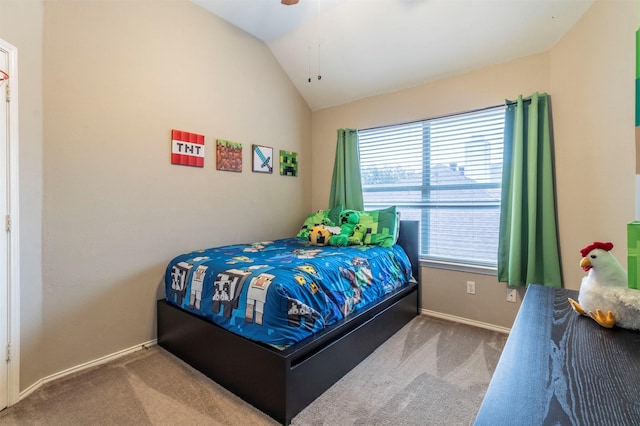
column 346, row 183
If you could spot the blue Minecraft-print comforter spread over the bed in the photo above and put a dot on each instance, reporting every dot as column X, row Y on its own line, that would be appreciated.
column 279, row 292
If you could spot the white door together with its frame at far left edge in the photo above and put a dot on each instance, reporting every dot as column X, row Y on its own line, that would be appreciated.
column 9, row 386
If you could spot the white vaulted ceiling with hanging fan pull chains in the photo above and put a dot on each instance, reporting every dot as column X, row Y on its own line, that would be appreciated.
column 337, row 51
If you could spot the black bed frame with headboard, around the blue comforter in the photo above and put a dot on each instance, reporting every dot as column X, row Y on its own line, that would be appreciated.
column 282, row 383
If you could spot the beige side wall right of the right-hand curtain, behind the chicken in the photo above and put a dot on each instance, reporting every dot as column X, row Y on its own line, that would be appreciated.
column 593, row 86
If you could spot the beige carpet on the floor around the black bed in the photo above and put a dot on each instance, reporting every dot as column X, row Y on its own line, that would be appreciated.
column 432, row 372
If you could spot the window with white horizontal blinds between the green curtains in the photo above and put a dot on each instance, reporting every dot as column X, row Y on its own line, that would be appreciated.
column 445, row 172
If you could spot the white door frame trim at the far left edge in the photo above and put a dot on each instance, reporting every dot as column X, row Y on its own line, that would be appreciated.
column 13, row 225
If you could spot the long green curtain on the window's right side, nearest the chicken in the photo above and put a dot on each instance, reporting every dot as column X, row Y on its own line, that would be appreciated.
column 528, row 241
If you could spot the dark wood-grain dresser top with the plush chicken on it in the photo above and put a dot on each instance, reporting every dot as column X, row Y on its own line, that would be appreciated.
column 560, row 368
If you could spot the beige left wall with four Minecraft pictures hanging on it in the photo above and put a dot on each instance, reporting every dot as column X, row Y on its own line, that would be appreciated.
column 116, row 78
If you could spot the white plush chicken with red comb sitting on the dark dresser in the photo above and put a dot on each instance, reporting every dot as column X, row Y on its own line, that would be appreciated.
column 604, row 293
